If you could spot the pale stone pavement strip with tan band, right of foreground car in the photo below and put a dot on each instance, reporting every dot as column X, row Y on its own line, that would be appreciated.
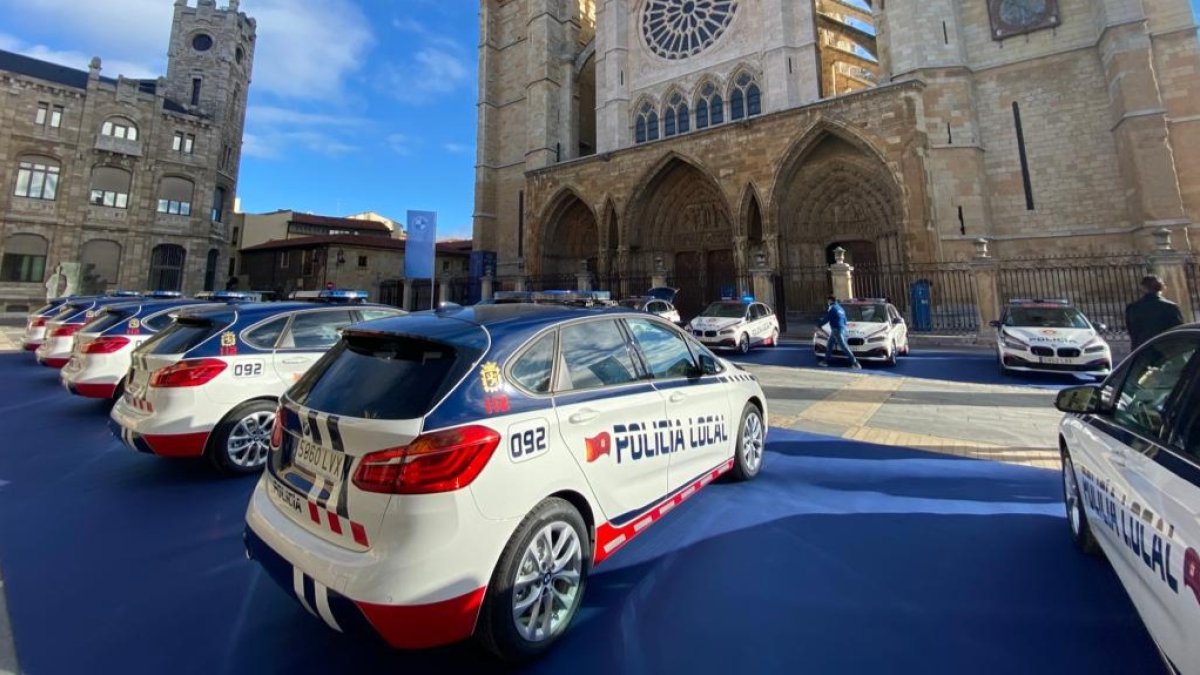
column 1010, row 425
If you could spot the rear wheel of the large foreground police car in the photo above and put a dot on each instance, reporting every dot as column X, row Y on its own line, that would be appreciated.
column 501, row 630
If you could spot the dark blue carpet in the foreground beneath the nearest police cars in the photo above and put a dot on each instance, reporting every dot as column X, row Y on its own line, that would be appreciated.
column 841, row 558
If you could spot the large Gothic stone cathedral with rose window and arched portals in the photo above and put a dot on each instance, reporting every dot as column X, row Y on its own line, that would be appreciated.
column 705, row 138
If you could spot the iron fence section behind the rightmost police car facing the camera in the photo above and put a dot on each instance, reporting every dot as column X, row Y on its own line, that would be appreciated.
column 1100, row 288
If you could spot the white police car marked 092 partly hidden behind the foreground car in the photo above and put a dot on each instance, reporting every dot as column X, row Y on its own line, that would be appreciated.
column 208, row 386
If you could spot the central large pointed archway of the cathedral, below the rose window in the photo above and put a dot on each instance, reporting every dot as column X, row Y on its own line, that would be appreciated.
column 682, row 218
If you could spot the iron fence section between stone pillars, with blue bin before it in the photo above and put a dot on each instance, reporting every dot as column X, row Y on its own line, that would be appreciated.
column 935, row 298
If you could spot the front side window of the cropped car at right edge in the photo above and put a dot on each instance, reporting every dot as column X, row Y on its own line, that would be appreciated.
column 1143, row 398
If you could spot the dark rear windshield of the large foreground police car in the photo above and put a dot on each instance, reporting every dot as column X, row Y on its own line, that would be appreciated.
column 382, row 378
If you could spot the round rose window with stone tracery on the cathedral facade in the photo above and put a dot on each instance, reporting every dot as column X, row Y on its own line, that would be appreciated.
column 677, row 29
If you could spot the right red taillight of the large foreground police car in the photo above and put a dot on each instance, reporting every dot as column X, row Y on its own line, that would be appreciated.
column 434, row 463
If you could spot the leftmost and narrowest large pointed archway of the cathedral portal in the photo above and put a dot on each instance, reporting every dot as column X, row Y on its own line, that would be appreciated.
column 571, row 237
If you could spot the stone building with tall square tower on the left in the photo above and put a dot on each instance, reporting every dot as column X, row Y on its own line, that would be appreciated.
column 124, row 183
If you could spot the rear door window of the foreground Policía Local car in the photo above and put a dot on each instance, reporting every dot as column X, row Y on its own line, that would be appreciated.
column 596, row 355
